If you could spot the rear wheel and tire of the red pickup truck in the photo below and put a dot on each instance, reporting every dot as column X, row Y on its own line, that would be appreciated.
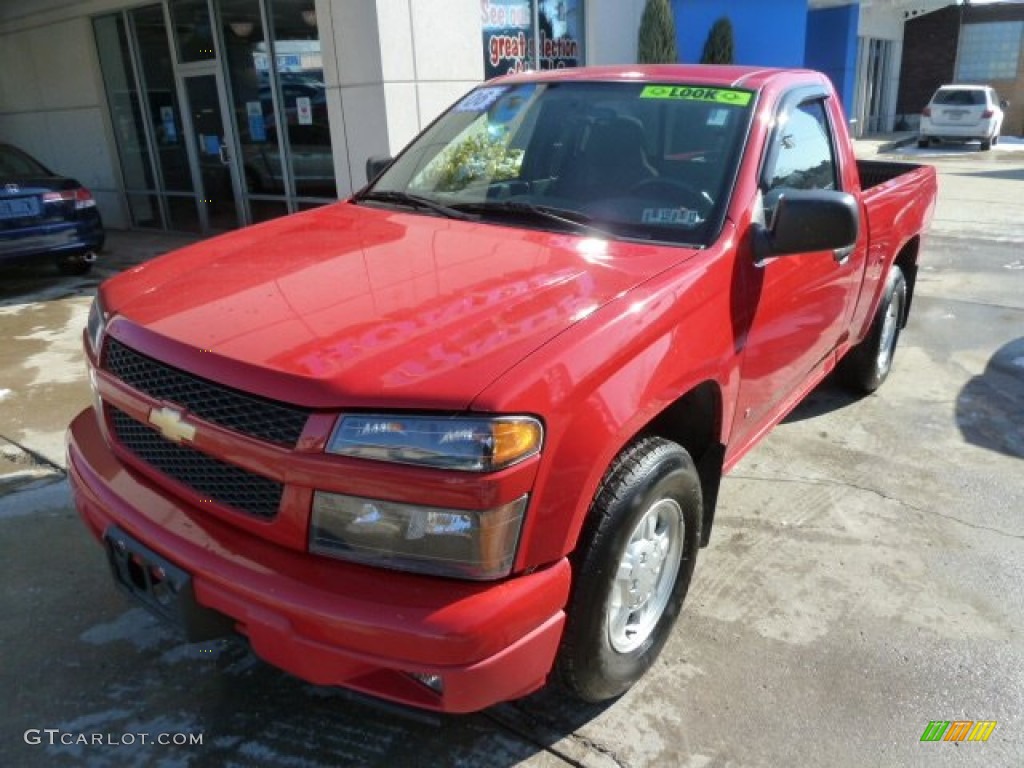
column 868, row 365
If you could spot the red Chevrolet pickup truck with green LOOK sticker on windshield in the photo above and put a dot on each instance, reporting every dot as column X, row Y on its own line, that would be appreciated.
column 463, row 433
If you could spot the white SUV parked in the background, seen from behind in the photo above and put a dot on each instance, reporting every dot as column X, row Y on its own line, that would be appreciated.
column 963, row 113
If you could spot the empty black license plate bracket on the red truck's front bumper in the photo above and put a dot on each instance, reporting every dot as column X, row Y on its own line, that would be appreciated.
column 162, row 587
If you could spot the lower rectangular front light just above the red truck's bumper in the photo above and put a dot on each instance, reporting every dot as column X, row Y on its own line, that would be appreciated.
column 463, row 544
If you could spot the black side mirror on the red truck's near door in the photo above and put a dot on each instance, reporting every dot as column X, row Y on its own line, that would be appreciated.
column 807, row 221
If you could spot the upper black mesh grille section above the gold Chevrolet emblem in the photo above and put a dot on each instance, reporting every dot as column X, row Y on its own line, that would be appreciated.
column 260, row 418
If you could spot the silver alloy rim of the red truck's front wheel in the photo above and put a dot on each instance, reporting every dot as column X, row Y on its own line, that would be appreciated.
column 646, row 576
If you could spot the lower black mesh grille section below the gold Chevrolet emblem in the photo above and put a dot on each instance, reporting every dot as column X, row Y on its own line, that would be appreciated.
column 210, row 478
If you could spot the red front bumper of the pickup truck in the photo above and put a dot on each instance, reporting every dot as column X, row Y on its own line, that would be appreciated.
column 329, row 622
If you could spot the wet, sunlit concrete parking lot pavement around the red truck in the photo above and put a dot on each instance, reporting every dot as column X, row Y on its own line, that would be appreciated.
column 866, row 575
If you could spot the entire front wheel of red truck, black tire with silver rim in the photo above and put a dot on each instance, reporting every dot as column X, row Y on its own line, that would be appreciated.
column 653, row 483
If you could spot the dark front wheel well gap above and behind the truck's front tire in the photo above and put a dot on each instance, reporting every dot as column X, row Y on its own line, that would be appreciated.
column 695, row 421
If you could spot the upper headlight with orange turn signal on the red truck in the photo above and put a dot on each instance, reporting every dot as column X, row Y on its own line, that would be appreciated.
column 474, row 444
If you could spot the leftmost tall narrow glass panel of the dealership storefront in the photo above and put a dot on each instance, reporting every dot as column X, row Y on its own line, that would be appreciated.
column 123, row 98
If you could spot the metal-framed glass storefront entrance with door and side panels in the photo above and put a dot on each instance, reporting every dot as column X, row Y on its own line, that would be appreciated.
column 219, row 110
